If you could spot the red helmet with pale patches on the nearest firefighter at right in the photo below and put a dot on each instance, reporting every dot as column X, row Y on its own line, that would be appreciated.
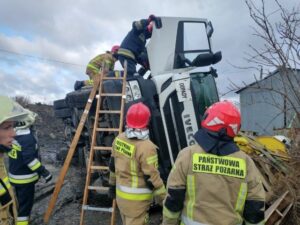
column 222, row 115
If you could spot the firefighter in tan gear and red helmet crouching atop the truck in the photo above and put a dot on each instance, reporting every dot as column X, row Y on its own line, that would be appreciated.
column 101, row 63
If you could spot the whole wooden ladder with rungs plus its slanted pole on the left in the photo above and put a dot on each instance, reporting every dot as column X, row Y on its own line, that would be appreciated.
column 91, row 167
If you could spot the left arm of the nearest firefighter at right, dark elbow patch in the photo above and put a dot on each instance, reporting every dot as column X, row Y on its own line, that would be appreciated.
column 176, row 188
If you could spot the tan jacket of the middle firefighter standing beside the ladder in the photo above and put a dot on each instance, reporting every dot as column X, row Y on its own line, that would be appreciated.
column 136, row 163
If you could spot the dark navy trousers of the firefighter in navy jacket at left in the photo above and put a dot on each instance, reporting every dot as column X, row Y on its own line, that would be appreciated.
column 25, row 197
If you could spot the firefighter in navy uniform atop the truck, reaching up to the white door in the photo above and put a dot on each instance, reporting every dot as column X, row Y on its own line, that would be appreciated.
column 133, row 48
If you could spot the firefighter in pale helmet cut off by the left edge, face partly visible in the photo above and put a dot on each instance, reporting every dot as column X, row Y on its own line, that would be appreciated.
column 10, row 112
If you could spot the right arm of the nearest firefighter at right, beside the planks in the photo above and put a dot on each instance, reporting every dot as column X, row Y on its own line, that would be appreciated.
column 255, row 202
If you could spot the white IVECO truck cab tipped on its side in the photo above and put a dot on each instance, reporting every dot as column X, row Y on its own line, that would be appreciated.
column 182, row 84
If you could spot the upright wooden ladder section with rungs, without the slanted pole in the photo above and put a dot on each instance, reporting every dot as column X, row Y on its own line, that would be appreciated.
column 91, row 166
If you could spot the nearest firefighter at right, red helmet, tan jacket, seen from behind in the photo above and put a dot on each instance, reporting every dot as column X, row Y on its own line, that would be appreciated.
column 213, row 182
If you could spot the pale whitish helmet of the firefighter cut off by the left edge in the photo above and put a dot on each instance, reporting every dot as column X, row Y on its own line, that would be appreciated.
column 10, row 110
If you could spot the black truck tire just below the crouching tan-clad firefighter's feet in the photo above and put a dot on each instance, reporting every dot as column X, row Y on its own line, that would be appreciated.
column 78, row 99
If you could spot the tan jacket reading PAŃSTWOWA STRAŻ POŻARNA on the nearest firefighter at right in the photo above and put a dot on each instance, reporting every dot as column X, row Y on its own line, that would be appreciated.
column 216, row 187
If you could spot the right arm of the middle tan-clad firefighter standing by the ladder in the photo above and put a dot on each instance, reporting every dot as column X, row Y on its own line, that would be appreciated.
column 149, row 166
